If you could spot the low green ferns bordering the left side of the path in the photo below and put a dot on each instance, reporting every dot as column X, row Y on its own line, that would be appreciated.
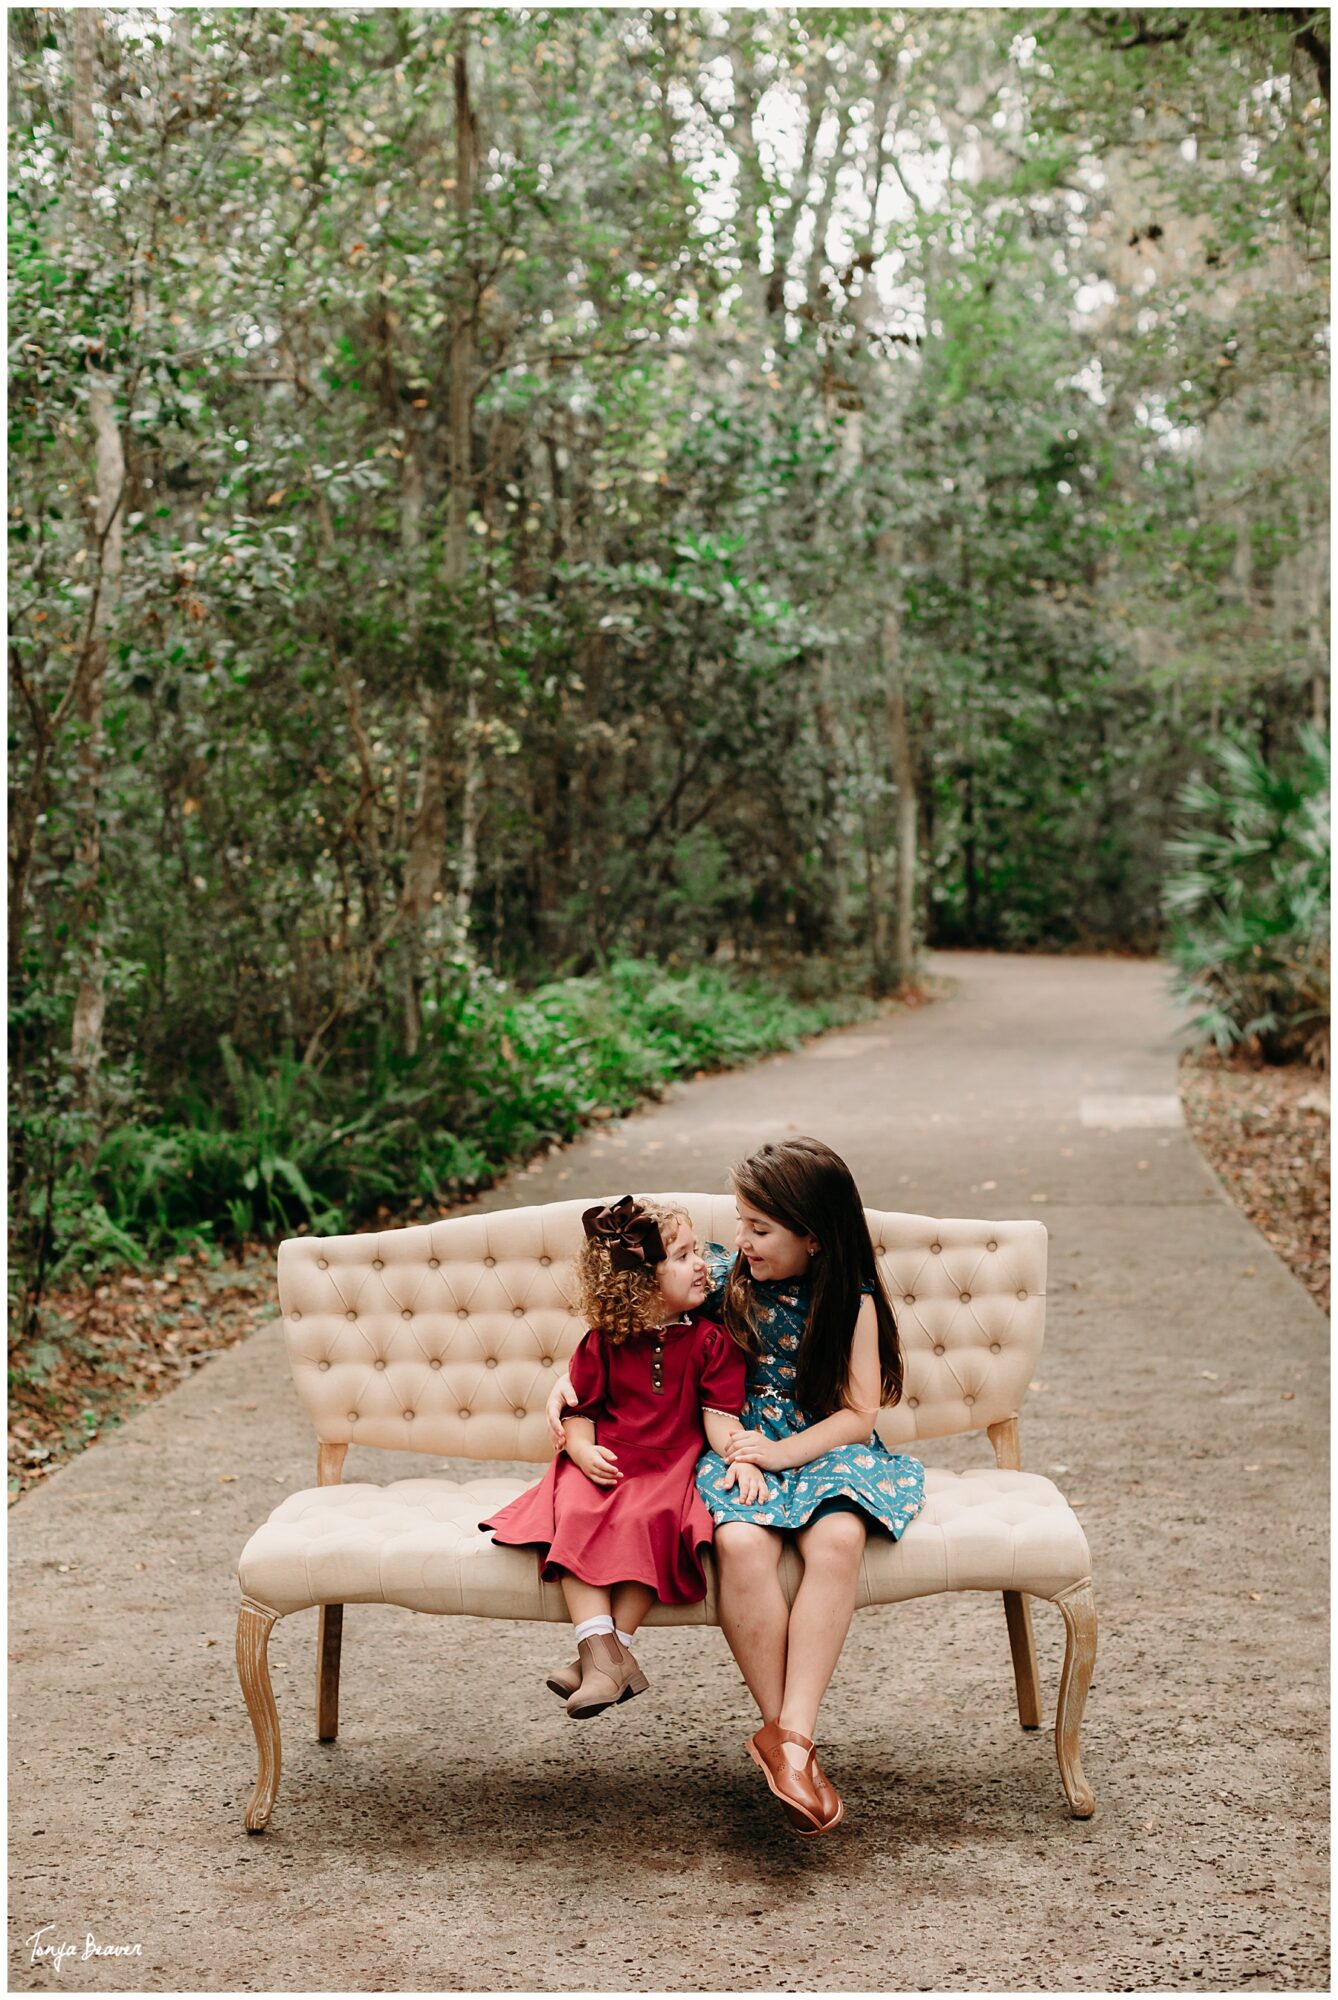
column 499, row 1075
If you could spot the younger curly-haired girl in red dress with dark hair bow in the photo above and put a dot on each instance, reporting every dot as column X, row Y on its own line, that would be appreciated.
column 619, row 1519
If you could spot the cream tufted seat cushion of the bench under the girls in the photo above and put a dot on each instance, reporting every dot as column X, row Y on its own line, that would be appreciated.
column 417, row 1543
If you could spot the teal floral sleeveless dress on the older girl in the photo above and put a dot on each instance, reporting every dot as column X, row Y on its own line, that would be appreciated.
column 887, row 1487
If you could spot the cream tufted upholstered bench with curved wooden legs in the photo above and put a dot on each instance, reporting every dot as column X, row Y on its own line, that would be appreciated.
column 447, row 1339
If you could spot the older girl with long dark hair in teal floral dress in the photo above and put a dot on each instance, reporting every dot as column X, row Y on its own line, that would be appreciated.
column 807, row 1305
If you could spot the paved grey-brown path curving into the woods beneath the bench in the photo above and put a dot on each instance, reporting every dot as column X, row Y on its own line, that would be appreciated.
column 465, row 1837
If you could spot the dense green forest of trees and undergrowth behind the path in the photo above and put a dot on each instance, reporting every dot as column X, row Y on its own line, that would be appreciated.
column 553, row 549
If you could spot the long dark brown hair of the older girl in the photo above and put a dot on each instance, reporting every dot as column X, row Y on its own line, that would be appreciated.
column 809, row 1189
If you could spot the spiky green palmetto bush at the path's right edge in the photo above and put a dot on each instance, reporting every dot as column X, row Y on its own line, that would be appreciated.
column 1249, row 901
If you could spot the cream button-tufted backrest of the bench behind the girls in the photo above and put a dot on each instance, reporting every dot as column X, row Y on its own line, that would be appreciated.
column 449, row 1337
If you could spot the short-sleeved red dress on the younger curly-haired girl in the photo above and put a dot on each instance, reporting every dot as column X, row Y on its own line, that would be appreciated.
column 651, row 1527
